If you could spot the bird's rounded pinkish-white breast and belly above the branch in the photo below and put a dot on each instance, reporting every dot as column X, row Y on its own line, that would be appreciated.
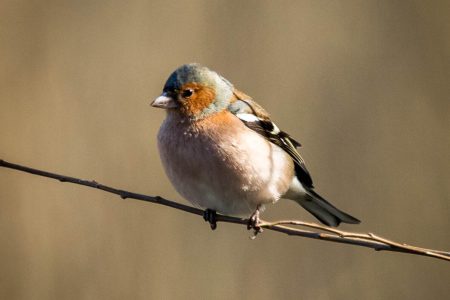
column 231, row 173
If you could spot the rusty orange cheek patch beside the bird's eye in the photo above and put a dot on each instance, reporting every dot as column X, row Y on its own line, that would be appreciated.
column 202, row 97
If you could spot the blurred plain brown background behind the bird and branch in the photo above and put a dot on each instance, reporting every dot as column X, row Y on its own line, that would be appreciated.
column 364, row 85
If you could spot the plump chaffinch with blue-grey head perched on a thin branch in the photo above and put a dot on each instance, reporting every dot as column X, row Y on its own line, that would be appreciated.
column 221, row 151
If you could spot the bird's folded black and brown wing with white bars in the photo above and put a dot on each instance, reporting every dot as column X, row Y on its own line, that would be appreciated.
column 257, row 119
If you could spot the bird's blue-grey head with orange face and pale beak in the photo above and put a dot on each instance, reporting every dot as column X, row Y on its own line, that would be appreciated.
column 195, row 91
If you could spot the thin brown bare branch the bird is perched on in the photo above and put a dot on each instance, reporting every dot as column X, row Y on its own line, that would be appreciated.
column 368, row 240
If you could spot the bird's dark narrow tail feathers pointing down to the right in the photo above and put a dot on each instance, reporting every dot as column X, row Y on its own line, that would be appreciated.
column 324, row 210
